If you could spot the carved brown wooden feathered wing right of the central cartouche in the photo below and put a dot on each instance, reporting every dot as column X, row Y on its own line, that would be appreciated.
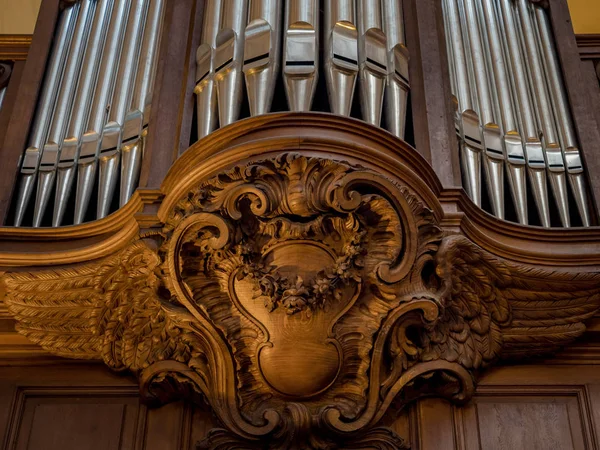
column 495, row 309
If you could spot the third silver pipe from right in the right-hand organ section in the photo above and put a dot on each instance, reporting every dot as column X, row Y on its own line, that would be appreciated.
column 525, row 112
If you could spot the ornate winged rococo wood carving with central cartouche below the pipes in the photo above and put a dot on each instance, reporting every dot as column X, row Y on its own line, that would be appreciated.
column 302, row 297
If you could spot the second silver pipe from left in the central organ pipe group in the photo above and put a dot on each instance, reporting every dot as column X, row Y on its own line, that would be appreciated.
column 229, row 60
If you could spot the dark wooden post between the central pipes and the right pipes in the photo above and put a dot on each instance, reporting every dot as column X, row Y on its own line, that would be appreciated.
column 435, row 136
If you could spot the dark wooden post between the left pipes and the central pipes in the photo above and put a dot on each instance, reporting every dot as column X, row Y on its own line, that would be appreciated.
column 171, row 118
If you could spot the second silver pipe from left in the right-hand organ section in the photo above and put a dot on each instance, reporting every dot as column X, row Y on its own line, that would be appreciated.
column 494, row 157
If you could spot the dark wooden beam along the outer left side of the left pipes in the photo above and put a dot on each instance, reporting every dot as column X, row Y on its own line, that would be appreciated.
column 17, row 132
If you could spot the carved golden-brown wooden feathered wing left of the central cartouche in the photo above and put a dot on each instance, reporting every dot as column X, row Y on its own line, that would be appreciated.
column 109, row 310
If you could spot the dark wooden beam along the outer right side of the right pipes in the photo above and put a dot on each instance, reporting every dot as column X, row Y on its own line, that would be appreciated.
column 578, row 90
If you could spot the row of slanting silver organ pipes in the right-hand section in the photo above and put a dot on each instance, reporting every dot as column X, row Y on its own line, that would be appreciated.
column 512, row 111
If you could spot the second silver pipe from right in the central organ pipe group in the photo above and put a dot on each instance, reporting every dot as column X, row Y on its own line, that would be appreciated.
column 372, row 59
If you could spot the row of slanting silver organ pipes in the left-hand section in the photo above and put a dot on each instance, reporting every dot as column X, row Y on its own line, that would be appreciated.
column 92, row 114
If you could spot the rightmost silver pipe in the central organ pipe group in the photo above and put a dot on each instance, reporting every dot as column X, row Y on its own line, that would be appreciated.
column 398, row 84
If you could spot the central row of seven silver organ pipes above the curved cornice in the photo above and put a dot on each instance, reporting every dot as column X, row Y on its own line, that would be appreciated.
column 246, row 40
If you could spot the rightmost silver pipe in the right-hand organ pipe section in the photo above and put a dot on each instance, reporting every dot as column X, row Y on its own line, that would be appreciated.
column 566, row 130
